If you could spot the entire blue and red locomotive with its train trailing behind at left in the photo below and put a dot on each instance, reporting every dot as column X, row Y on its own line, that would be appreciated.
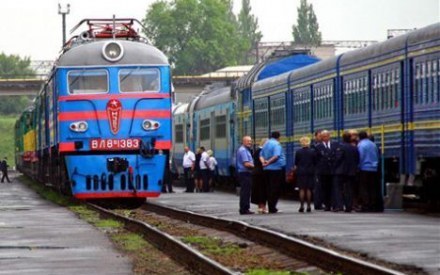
column 100, row 128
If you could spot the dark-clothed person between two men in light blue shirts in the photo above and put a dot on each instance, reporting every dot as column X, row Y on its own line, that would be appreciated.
column 259, row 189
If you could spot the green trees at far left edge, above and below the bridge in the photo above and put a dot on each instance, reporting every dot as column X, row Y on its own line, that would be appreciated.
column 13, row 67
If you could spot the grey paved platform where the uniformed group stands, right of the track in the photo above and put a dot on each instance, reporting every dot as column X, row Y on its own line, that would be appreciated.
column 393, row 236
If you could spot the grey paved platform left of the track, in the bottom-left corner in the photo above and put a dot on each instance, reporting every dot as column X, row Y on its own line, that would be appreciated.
column 38, row 237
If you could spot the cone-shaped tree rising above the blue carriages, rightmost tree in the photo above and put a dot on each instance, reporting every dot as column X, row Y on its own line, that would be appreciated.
column 306, row 31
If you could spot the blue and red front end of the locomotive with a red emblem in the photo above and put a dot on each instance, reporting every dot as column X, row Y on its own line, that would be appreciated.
column 114, row 115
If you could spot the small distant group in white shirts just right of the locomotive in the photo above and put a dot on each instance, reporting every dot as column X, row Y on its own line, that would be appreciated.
column 199, row 170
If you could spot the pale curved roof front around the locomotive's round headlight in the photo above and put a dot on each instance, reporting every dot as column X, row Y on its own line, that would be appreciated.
column 90, row 54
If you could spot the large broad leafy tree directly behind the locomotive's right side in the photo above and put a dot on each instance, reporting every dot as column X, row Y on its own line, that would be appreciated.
column 198, row 36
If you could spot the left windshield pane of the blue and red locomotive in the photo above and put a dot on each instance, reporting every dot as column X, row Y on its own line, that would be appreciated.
column 88, row 82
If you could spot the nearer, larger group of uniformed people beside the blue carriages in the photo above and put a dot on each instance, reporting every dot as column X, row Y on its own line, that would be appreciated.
column 339, row 176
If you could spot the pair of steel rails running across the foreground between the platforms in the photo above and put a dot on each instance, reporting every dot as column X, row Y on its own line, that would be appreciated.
column 306, row 256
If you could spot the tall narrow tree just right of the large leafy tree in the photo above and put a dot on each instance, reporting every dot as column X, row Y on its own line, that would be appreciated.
column 248, row 28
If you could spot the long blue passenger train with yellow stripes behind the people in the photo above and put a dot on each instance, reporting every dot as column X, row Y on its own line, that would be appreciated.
column 391, row 89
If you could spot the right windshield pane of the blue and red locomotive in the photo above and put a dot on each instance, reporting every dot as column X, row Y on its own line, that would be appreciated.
column 139, row 80
